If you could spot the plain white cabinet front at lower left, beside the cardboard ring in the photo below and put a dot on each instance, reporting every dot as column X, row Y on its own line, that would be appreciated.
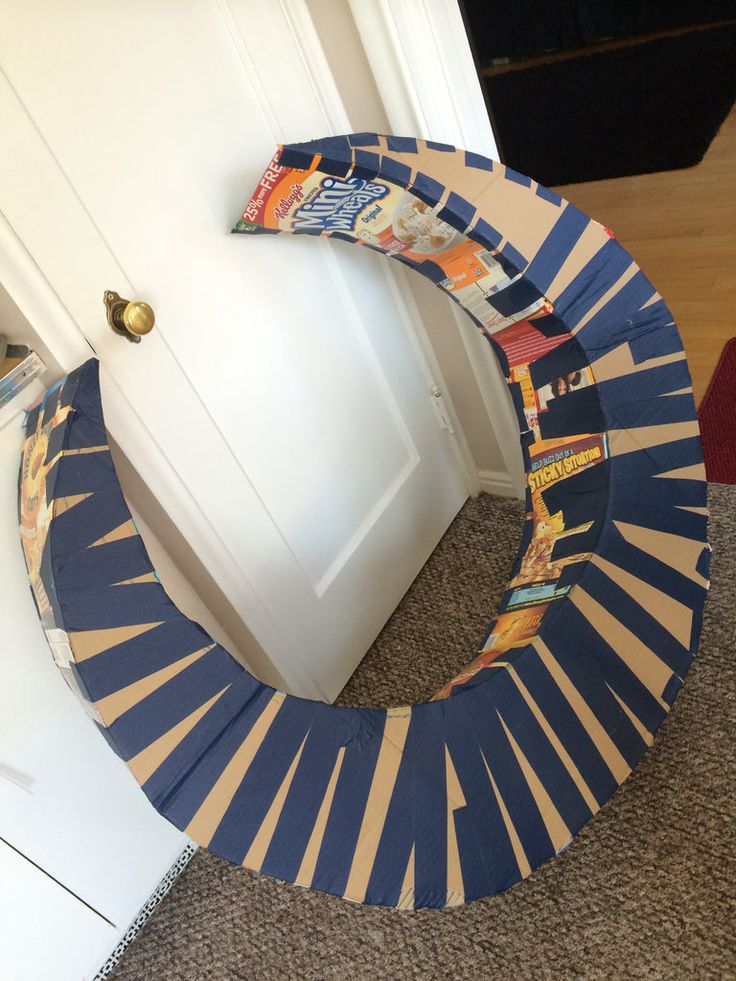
column 74, row 809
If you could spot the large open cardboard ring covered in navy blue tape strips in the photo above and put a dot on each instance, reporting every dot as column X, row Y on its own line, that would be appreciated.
column 452, row 799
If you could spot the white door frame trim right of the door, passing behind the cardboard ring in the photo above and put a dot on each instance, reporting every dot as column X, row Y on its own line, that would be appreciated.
column 421, row 60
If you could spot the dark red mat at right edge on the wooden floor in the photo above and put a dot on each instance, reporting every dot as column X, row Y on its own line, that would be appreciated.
column 717, row 416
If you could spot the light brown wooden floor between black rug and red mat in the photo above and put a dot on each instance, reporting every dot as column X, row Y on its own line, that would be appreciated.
column 680, row 226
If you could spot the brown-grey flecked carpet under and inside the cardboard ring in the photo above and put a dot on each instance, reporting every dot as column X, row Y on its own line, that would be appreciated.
column 645, row 891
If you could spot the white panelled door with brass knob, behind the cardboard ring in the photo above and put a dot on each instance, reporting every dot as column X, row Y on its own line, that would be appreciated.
column 280, row 409
